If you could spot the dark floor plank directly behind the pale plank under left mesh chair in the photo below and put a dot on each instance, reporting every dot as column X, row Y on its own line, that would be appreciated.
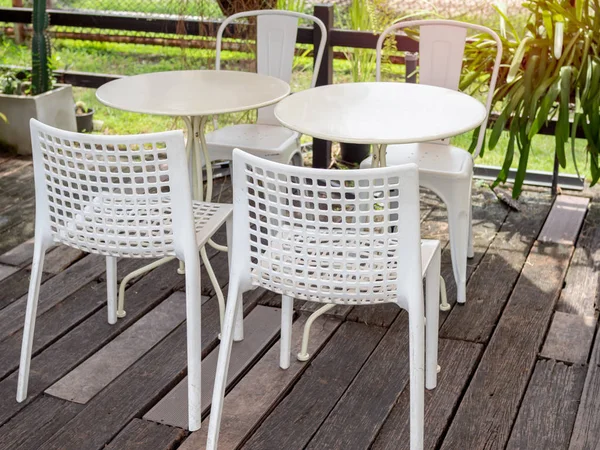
column 86, row 338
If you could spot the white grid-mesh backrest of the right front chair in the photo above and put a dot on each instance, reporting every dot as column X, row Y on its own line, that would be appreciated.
column 342, row 236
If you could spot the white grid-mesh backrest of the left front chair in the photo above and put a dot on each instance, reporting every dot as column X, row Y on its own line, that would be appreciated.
column 112, row 195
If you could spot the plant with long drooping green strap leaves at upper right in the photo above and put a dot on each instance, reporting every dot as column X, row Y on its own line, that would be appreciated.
column 551, row 70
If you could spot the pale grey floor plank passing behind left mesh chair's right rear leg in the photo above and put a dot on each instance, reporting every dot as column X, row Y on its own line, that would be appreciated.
column 261, row 328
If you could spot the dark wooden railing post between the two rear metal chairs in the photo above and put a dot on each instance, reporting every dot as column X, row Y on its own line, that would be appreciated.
column 321, row 148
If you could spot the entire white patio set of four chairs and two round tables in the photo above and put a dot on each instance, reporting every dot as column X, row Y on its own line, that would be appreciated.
column 333, row 237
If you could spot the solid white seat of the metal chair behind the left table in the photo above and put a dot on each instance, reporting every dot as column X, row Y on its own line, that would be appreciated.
column 254, row 138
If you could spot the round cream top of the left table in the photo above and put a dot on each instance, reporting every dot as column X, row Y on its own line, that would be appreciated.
column 192, row 92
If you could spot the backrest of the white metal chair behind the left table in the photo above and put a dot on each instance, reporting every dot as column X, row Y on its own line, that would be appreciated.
column 276, row 32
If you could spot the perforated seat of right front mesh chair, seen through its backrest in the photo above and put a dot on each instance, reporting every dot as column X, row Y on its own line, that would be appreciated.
column 367, row 273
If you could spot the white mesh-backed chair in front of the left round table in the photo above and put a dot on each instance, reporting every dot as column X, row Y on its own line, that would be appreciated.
column 112, row 196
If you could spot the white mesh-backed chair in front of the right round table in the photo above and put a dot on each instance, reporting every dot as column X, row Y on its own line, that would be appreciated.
column 334, row 237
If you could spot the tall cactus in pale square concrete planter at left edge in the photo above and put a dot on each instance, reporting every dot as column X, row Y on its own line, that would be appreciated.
column 27, row 96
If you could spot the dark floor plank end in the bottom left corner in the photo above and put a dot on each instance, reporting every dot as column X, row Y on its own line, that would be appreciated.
column 35, row 424
